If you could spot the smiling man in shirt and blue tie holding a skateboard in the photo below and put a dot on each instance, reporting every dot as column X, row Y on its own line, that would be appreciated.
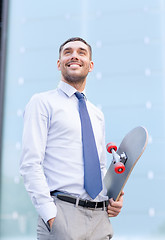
column 53, row 157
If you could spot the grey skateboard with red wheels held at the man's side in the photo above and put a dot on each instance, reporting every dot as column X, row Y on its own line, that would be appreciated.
column 124, row 160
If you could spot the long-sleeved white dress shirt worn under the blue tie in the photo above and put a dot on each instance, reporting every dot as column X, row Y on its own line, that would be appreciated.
column 52, row 157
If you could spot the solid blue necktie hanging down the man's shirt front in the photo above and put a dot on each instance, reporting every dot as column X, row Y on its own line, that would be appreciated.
column 92, row 172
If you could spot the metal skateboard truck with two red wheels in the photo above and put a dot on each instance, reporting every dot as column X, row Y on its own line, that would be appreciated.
column 118, row 160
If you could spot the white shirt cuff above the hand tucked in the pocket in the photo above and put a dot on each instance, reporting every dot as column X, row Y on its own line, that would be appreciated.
column 47, row 211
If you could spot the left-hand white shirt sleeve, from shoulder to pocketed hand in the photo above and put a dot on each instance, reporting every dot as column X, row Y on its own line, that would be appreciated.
column 36, row 125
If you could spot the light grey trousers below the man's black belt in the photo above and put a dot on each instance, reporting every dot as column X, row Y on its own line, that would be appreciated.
column 76, row 223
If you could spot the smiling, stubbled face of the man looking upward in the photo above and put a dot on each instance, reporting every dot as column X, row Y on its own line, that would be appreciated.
column 74, row 62
